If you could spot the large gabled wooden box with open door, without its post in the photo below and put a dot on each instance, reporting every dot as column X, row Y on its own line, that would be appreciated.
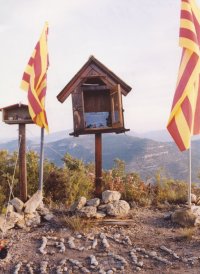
column 96, row 99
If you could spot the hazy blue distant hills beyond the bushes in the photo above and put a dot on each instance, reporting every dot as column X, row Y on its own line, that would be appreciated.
column 141, row 155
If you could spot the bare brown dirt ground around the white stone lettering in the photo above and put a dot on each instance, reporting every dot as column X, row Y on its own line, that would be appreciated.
column 146, row 229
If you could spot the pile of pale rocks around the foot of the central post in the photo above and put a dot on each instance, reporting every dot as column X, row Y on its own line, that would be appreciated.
column 109, row 205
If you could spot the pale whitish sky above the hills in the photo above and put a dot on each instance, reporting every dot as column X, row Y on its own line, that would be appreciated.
column 137, row 40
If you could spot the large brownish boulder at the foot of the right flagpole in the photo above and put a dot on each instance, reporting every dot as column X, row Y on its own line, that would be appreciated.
column 184, row 217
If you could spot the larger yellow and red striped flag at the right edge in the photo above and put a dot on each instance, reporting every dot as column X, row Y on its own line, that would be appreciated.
column 184, row 120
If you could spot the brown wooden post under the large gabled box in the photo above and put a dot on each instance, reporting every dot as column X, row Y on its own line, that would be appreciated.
column 98, row 164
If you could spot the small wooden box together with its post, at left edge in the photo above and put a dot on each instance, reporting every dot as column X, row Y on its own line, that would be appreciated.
column 19, row 114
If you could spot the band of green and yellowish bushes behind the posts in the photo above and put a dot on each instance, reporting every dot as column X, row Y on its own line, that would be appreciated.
column 75, row 179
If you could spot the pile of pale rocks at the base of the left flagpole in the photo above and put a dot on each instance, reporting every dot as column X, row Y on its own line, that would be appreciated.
column 26, row 214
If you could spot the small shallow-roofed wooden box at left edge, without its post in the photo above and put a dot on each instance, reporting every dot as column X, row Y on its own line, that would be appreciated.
column 16, row 114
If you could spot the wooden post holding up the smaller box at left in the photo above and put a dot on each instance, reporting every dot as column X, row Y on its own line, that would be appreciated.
column 22, row 162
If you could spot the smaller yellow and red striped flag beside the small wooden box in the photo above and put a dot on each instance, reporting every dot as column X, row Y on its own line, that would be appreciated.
column 34, row 80
